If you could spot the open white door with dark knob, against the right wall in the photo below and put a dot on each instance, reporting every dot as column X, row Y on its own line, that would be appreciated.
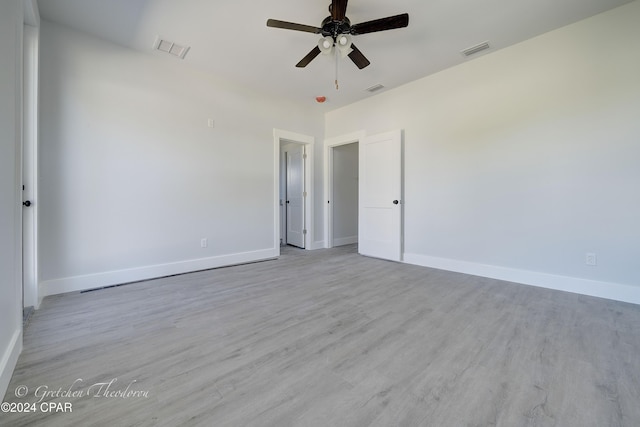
column 380, row 210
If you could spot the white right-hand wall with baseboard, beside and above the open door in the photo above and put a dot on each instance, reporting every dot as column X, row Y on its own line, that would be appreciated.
column 520, row 162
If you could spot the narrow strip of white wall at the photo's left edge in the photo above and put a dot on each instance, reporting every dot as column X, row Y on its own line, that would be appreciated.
column 11, row 19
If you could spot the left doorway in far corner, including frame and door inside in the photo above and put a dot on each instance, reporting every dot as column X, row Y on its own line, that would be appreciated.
column 293, row 190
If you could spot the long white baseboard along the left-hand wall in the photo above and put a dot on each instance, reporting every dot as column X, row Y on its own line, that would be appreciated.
column 109, row 278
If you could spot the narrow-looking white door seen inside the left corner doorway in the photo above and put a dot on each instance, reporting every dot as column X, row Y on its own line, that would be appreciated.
column 295, row 196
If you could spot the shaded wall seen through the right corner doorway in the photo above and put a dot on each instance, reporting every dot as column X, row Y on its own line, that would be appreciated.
column 345, row 194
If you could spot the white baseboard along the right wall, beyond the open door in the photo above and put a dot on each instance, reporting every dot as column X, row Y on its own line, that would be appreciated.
column 613, row 291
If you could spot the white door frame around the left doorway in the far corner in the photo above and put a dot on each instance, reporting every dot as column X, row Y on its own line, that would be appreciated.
column 282, row 136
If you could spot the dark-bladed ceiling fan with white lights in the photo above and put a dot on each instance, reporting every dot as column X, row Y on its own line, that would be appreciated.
column 336, row 31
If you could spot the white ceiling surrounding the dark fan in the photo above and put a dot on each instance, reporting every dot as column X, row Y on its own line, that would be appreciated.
column 231, row 39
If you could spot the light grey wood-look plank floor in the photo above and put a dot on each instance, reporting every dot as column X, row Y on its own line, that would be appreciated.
column 330, row 338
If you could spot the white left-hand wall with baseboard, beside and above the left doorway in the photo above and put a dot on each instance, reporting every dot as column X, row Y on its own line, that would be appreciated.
column 131, row 177
